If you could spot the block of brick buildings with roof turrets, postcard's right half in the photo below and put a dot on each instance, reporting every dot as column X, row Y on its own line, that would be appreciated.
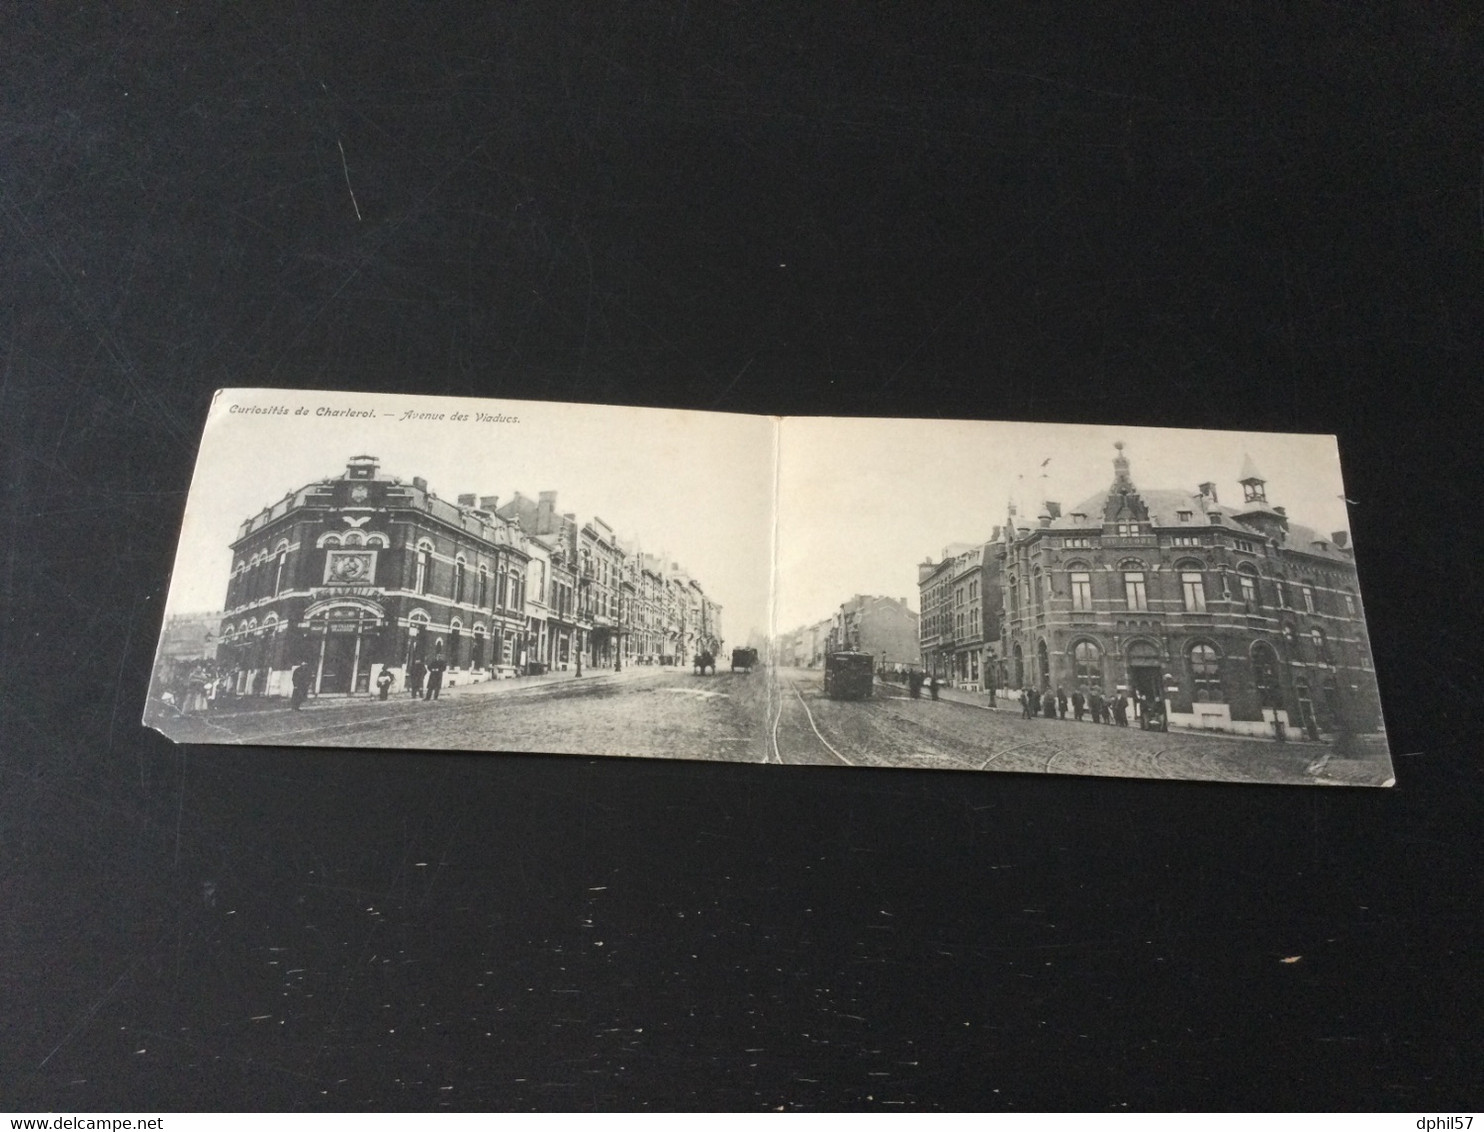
column 1229, row 616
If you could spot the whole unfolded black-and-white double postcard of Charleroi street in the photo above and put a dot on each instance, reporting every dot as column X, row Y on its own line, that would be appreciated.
column 436, row 573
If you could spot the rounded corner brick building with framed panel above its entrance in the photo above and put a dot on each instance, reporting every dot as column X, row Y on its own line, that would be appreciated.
column 363, row 570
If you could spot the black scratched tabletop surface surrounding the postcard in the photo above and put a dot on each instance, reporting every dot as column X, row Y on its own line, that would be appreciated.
column 1229, row 216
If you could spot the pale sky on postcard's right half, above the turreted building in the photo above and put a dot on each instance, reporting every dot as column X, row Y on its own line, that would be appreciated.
column 866, row 501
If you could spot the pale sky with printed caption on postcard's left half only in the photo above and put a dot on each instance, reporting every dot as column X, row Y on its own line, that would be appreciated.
column 697, row 486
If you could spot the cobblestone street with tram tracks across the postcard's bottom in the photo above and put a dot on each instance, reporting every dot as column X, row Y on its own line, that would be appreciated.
column 778, row 717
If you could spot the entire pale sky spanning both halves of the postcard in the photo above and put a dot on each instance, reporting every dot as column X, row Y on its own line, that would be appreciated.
column 863, row 502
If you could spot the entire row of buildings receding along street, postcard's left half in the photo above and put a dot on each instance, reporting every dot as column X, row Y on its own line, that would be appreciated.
column 364, row 570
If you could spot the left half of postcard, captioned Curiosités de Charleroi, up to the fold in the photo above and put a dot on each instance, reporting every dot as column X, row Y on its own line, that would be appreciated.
column 473, row 576
